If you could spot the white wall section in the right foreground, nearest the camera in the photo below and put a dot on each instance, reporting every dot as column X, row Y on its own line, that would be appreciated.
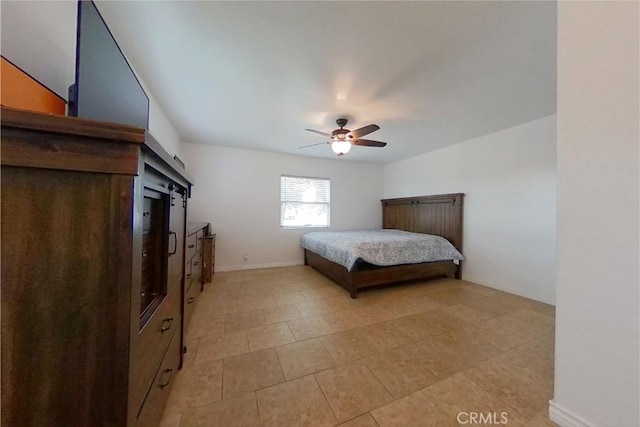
column 597, row 313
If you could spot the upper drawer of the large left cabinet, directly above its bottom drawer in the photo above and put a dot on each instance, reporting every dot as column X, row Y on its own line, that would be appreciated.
column 152, row 342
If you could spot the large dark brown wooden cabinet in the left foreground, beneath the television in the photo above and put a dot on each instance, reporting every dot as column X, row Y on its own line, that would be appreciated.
column 93, row 266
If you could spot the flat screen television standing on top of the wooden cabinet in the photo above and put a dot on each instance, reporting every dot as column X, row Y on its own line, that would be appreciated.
column 106, row 87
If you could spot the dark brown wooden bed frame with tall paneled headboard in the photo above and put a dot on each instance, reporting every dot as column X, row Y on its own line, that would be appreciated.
column 439, row 214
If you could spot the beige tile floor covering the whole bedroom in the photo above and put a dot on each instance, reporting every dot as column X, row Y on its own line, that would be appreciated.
column 288, row 347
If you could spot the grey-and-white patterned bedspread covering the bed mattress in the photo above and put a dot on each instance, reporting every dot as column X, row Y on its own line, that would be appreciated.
column 379, row 247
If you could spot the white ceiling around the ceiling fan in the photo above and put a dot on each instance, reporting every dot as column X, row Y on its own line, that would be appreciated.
column 256, row 74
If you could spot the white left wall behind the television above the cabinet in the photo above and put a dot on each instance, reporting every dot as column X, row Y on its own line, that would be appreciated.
column 40, row 38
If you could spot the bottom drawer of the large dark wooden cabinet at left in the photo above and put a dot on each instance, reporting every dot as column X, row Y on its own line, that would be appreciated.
column 151, row 412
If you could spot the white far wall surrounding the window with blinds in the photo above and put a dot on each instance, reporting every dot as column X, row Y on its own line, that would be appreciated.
column 238, row 192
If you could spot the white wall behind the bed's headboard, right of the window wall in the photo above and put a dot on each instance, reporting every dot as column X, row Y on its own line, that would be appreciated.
column 509, row 181
